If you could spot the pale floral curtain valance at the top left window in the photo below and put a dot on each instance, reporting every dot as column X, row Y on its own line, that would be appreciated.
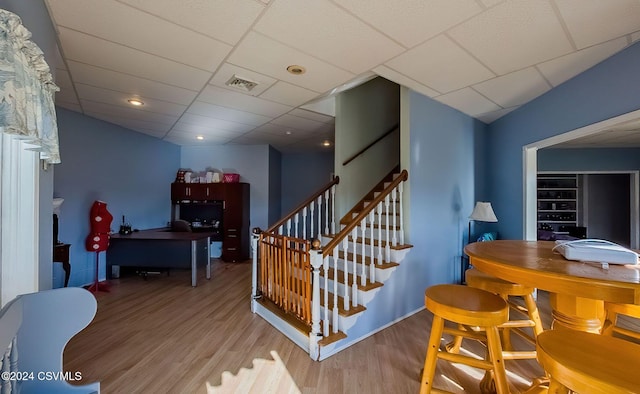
column 26, row 89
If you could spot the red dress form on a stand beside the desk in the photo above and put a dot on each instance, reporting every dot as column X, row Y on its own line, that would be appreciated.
column 98, row 239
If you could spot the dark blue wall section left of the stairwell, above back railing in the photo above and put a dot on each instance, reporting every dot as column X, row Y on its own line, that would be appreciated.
column 303, row 174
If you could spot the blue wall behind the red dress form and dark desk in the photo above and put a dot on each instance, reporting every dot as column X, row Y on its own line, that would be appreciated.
column 130, row 171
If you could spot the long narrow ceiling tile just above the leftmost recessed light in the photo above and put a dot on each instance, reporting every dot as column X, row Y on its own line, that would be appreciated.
column 103, row 78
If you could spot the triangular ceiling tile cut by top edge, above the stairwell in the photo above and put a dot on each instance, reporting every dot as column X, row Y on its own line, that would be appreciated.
column 411, row 22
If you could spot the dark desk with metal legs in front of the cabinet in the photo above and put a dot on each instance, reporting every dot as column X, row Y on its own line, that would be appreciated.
column 161, row 248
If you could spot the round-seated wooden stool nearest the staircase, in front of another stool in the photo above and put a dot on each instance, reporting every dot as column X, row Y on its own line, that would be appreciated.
column 467, row 306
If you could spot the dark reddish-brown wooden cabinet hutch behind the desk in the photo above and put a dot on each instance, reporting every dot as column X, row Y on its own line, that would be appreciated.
column 227, row 203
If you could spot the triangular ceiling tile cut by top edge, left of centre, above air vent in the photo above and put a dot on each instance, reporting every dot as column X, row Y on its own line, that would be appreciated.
column 226, row 20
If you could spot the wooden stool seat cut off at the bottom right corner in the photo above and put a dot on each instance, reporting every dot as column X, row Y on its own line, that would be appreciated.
column 588, row 363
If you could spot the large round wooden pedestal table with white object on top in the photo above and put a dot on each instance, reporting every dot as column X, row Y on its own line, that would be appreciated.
column 577, row 290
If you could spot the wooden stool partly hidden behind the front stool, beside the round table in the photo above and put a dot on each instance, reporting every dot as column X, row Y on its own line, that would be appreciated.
column 531, row 317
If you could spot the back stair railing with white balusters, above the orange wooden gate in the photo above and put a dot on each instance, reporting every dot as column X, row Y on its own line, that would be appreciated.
column 317, row 210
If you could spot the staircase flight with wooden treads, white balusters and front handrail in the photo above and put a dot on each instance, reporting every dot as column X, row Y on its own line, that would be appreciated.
column 371, row 249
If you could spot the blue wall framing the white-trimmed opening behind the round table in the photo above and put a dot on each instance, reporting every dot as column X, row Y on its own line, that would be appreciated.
column 606, row 90
